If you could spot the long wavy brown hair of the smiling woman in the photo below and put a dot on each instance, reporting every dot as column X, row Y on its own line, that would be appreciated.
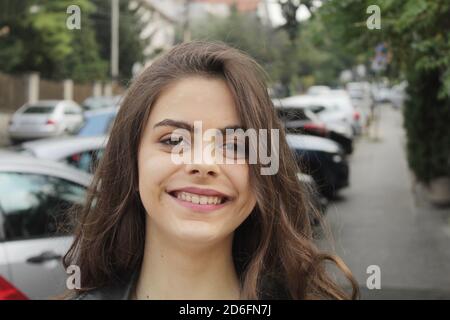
column 273, row 249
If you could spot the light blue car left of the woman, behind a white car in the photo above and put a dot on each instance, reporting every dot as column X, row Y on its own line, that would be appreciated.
column 98, row 122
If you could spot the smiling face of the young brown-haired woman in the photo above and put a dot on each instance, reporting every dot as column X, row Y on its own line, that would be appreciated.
column 198, row 202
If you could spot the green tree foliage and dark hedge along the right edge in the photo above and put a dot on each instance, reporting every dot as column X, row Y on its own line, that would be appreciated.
column 418, row 35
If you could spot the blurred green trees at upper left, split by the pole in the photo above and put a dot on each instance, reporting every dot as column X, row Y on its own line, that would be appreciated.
column 39, row 39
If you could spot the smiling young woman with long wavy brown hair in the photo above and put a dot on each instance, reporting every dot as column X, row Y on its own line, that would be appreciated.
column 154, row 228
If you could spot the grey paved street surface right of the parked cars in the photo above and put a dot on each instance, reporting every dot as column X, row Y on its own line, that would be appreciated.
column 379, row 221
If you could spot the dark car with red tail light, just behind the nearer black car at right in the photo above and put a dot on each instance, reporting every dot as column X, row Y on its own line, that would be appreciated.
column 298, row 118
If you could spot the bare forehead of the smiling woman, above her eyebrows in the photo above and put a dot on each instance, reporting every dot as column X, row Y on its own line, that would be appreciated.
column 196, row 99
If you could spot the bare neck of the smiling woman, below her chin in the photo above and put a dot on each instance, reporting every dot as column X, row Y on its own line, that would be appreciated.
column 172, row 270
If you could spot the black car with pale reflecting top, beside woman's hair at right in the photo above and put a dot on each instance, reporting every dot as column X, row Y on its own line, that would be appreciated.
column 323, row 159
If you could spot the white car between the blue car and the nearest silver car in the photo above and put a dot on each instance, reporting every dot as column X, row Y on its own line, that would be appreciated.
column 80, row 152
